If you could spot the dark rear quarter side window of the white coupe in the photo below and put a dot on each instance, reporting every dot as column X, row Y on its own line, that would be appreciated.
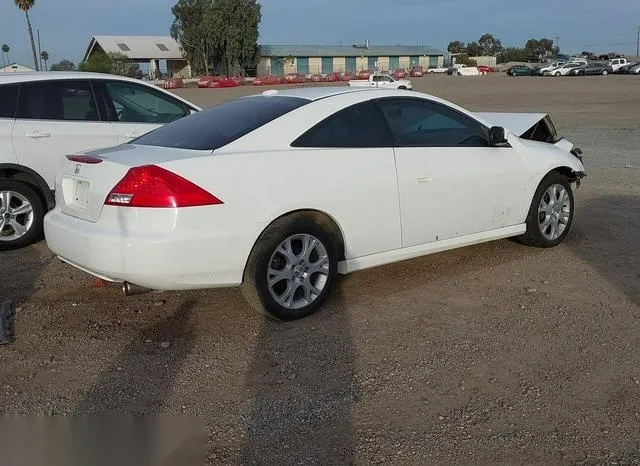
column 357, row 126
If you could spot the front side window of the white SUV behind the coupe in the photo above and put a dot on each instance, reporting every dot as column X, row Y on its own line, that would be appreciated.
column 133, row 103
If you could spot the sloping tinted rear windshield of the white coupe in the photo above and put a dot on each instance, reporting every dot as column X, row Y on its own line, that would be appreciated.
column 219, row 125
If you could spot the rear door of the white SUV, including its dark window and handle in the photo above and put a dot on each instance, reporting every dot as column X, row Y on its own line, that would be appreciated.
column 56, row 118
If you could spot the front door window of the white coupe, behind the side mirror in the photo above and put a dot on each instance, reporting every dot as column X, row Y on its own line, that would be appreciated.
column 420, row 123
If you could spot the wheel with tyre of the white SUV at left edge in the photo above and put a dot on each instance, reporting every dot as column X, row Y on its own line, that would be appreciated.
column 21, row 215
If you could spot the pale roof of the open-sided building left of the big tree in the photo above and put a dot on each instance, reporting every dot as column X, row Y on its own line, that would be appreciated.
column 138, row 47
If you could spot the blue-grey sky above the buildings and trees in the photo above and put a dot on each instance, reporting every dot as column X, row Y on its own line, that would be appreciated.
column 66, row 26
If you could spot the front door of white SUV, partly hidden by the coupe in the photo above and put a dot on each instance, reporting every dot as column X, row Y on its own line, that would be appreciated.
column 135, row 109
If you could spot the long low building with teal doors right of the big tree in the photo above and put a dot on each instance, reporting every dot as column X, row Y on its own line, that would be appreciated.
column 321, row 59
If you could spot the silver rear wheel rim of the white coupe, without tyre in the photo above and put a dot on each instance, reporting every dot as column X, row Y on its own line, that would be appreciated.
column 298, row 271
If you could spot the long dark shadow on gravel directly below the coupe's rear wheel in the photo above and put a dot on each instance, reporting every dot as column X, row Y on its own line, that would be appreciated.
column 302, row 385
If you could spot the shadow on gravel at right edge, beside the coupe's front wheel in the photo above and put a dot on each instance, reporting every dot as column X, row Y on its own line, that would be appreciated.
column 606, row 235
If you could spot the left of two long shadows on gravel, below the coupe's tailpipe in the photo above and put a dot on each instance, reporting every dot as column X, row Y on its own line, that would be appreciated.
column 124, row 405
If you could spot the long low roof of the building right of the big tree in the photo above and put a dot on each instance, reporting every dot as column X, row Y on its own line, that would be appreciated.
column 347, row 50
